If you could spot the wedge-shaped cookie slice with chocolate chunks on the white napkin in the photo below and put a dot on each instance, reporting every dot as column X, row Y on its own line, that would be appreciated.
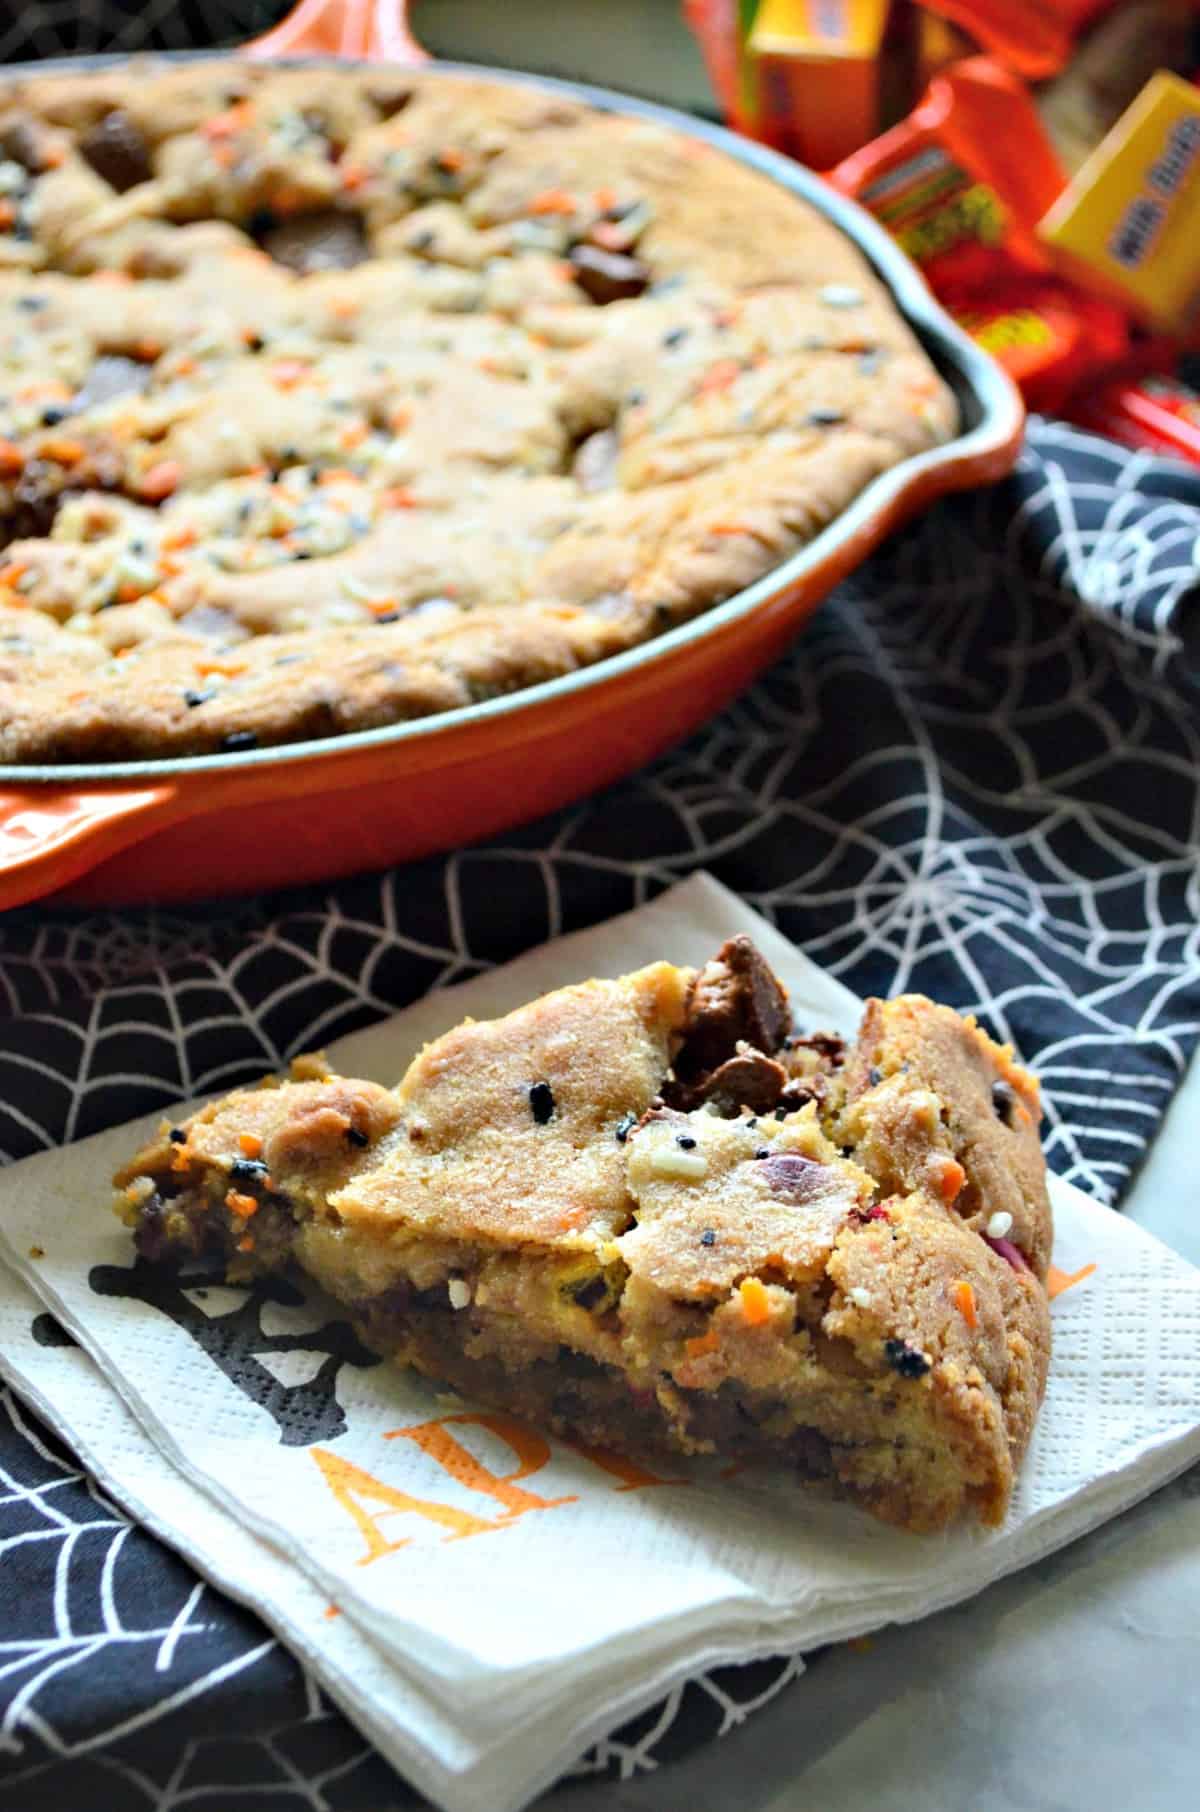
column 646, row 1215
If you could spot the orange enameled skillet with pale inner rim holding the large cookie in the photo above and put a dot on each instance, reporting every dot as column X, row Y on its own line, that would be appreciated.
column 189, row 829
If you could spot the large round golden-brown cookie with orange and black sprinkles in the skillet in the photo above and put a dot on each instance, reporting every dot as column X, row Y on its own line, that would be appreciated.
column 296, row 360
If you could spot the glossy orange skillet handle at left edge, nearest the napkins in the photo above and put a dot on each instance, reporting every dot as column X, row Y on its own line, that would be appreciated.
column 52, row 836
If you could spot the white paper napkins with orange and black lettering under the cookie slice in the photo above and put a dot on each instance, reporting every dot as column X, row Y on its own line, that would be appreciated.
column 536, row 1595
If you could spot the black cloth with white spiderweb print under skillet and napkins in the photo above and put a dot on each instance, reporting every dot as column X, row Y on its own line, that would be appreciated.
column 978, row 775
